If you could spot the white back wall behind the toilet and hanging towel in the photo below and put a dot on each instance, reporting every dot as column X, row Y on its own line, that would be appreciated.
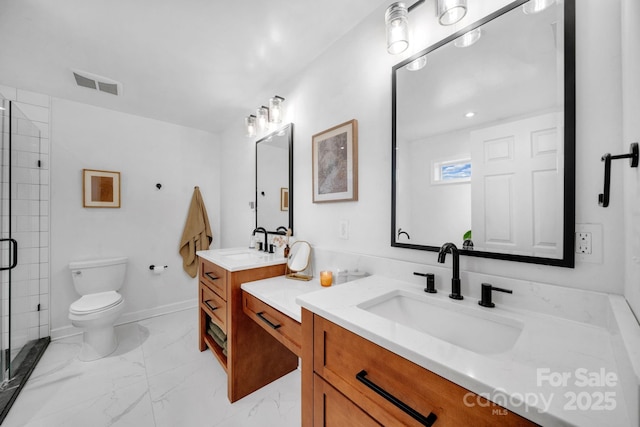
column 148, row 226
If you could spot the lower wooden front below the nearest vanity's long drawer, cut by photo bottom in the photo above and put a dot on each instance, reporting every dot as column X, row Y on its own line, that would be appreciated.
column 331, row 408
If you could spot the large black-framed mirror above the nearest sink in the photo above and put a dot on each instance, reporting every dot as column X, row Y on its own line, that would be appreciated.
column 483, row 139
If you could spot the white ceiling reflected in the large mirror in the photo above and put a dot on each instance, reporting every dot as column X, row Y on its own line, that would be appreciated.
column 511, row 71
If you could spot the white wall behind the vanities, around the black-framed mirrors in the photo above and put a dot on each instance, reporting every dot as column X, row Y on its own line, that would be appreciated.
column 352, row 79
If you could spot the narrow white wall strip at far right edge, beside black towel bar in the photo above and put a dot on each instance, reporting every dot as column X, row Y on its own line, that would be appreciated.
column 631, row 113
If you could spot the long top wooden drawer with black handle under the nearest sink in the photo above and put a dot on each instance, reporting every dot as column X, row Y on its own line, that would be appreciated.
column 356, row 367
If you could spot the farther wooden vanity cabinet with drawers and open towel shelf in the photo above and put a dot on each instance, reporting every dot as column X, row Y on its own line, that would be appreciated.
column 254, row 358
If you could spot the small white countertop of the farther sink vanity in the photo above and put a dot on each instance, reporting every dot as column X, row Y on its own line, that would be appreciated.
column 238, row 259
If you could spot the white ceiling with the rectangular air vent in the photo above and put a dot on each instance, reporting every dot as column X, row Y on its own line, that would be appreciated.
column 200, row 63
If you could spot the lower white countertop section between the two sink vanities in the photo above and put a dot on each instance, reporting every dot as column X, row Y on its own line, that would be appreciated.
column 281, row 293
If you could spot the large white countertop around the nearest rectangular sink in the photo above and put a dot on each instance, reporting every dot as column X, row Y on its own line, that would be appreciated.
column 559, row 372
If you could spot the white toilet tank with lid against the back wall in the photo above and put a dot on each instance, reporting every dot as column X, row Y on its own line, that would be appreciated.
column 98, row 275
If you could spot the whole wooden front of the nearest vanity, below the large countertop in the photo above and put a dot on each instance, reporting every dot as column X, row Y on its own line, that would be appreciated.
column 341, row 370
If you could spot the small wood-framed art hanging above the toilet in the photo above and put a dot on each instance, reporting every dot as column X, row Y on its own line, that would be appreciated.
column 100, row 189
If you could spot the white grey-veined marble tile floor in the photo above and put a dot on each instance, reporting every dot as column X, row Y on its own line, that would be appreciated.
column 157, row 377
